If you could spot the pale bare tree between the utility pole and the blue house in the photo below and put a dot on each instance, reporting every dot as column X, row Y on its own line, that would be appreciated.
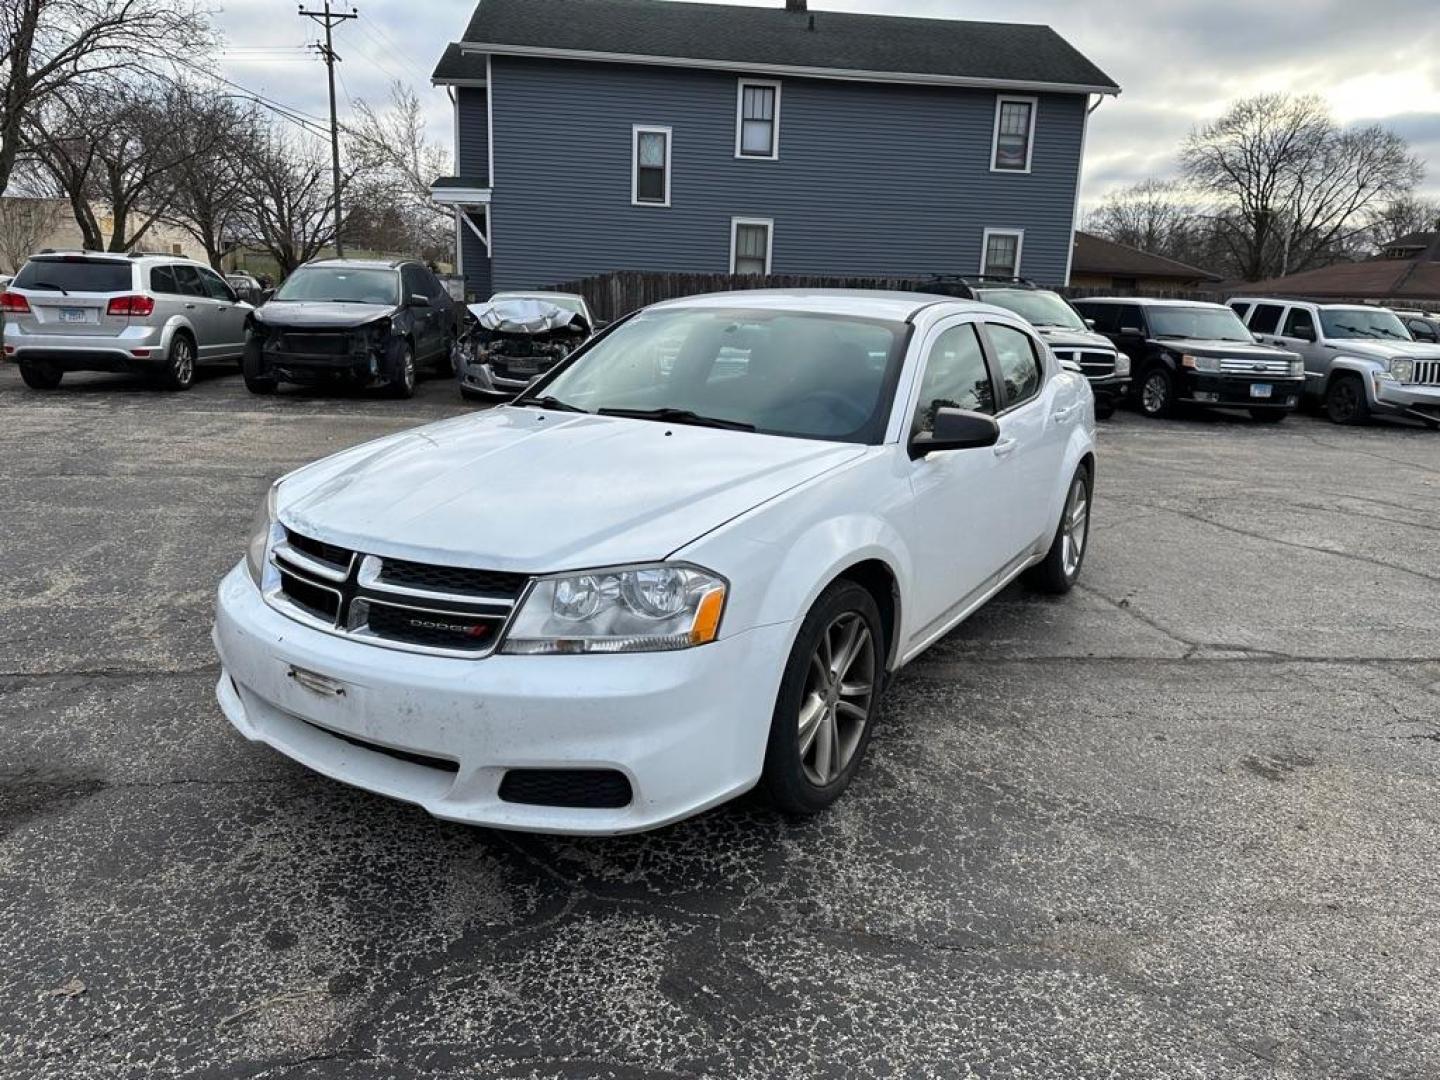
column 400, row 163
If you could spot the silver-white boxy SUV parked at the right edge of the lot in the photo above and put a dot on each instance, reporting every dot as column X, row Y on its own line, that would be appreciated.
column 1359, row 361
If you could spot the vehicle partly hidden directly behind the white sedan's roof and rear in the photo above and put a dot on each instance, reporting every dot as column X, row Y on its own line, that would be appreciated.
column 1107, row 368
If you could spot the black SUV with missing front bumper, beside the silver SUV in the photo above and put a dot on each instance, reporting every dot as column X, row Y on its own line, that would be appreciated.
column 356, row 322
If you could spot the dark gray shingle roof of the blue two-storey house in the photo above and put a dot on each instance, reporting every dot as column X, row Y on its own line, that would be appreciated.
column 728, row 34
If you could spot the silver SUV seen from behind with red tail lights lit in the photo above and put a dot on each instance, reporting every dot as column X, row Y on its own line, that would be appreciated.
column 97, row 312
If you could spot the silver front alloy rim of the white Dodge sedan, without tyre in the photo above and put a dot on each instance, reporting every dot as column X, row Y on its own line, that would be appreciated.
column 840, row 689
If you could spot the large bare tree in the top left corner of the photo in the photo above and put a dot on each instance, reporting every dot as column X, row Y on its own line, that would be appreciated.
column 51, row 47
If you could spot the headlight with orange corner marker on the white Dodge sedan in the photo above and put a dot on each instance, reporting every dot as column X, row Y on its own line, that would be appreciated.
column 629, row 610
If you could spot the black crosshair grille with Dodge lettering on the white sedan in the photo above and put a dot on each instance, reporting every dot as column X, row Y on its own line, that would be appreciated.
column 418, row 607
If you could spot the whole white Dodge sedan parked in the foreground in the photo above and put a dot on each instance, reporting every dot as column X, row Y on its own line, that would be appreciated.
column 682, row 565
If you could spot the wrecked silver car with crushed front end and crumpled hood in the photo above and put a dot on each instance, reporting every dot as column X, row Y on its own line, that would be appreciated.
column 513, row 341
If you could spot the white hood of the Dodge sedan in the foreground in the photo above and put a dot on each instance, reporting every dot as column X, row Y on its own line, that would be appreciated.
column 542, row 492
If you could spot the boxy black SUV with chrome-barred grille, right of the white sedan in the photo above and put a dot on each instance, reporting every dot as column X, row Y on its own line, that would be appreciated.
column 1194, row 354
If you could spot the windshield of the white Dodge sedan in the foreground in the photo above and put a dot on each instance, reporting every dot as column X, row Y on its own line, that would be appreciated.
column 778, row 372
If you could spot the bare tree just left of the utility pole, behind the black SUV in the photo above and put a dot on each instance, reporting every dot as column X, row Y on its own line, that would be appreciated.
column 290, row 199
